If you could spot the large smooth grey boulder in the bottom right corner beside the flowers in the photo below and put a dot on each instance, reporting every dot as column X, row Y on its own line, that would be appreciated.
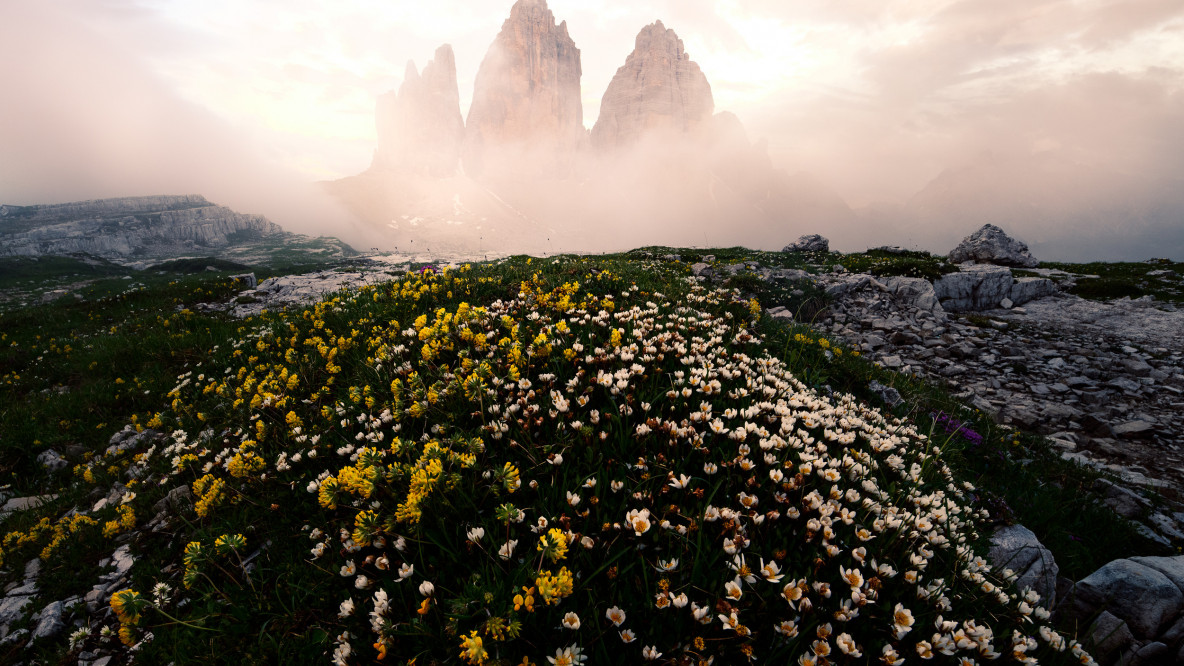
column 1143, row 598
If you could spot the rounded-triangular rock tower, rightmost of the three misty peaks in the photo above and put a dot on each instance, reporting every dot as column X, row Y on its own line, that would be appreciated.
column 658, row 89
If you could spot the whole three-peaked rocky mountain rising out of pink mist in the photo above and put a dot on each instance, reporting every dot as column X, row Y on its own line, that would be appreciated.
column 529, row 172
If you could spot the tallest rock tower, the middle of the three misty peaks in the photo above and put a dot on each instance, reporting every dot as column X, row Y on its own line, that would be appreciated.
column 527, row 117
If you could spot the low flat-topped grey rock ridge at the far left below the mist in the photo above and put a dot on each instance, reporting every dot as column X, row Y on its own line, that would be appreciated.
column 149, row 229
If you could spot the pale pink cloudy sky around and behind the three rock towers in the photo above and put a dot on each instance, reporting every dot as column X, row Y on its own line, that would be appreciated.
column 876, row 98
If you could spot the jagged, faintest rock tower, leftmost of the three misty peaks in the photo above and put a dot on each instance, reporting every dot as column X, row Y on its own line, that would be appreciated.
column 420, row 127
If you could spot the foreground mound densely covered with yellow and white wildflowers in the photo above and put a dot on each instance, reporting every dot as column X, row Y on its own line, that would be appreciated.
column 687, row 496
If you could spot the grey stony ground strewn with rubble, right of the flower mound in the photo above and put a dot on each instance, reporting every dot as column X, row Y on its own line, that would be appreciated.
column 1104, row 381
